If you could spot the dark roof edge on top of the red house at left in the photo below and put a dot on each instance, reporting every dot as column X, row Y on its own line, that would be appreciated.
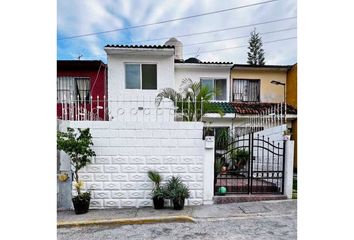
column 79, row 64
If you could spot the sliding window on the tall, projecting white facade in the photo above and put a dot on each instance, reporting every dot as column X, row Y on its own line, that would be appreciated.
column 140, row 76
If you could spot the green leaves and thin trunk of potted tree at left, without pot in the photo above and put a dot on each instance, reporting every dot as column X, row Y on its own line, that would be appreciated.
column 78, row 147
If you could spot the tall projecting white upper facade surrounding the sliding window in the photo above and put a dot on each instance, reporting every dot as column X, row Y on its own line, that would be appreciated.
column 138, row 104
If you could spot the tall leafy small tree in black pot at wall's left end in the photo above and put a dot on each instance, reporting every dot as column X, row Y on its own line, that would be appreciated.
column 78, row 147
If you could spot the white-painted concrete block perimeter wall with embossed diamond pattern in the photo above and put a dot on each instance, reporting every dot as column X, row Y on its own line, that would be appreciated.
column 126, row 151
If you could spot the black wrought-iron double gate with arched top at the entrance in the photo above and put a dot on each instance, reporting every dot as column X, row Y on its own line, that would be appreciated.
column 250, row 164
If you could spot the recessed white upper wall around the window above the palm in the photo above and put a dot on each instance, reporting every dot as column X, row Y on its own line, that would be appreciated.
column 197, row 72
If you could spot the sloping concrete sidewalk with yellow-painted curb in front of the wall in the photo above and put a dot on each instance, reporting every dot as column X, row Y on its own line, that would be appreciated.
column 188, row 214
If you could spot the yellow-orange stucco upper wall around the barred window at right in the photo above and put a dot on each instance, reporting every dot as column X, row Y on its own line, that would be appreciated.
column 269, row 92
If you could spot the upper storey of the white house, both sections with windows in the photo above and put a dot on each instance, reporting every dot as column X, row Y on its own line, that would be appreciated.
column 136, row 74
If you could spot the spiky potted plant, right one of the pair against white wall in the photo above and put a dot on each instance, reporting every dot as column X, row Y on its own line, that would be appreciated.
column 177, row 192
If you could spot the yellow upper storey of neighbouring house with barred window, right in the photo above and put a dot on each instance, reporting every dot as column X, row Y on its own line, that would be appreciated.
column 258, row 88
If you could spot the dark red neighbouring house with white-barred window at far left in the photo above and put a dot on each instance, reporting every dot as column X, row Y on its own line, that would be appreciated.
column 80, row 82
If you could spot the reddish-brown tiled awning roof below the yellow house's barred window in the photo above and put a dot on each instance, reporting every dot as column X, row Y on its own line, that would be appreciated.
column 258, row 108
